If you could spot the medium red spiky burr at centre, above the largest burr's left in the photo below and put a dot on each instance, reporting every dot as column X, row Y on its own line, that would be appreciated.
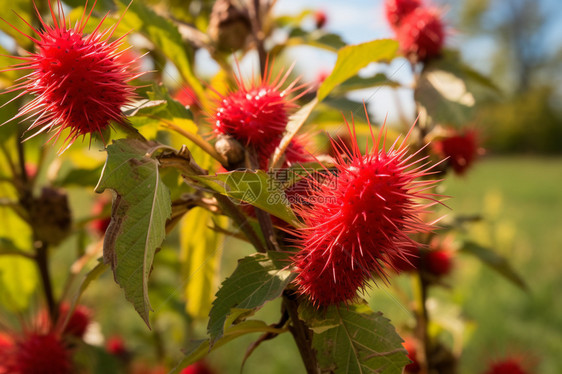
column 256, row 114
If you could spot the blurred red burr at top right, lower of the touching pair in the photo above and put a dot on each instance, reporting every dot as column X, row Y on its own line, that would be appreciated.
column 421, row 34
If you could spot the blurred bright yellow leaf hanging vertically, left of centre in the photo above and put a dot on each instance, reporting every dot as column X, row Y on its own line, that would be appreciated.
column 200, row 259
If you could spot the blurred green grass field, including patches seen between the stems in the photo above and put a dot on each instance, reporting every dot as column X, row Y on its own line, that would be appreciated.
column 520, row 199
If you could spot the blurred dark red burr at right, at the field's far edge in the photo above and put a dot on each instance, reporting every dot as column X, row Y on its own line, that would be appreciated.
column 460, row 148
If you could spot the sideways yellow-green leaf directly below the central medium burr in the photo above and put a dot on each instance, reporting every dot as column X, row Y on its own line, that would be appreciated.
column 254, row 187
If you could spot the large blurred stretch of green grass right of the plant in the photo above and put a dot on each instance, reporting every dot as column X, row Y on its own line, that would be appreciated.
column 521, row 199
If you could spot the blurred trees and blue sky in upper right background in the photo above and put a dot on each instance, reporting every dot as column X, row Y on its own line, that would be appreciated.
column 521, row 40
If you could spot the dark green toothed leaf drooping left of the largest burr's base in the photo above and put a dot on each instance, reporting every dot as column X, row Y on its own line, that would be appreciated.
column 256, row 280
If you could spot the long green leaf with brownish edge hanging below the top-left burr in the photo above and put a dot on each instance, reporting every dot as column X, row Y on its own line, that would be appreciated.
column 139, row 213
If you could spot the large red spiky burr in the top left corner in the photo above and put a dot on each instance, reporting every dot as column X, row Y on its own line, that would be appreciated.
column 80, row 82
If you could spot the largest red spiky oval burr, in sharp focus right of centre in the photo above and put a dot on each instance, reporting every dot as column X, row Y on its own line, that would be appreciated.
column 358, row 220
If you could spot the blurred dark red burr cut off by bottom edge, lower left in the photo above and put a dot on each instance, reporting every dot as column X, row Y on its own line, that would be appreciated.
column 39, row 354
